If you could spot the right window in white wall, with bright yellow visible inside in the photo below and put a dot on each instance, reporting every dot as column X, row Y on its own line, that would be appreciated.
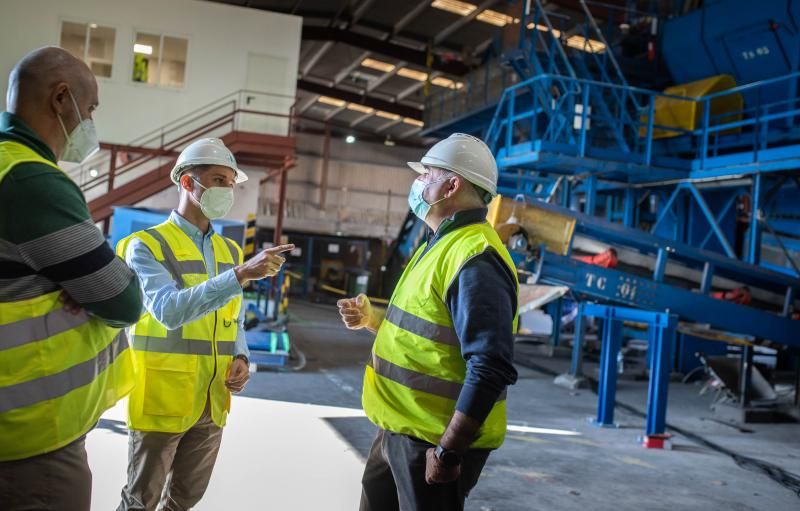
column 159, row 60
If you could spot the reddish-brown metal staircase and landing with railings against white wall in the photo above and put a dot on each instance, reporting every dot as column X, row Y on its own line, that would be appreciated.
column 257, row 127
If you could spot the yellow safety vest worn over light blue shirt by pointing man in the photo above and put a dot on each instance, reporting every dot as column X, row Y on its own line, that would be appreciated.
column 178, row 369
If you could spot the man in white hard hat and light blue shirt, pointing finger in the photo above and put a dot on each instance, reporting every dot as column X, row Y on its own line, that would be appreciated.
column 189, row 345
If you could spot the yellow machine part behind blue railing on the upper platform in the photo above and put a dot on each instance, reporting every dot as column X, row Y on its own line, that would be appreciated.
column 688, row 115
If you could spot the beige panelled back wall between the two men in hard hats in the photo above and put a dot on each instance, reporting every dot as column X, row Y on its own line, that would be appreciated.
column 366, row 194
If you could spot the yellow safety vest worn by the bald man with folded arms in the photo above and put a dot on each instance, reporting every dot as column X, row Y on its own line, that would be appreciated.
column 58, row 372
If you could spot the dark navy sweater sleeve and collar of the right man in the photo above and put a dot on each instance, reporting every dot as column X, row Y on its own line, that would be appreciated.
column 482, row 302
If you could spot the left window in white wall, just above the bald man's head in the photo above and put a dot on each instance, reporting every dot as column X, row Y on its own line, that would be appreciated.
column 91, row 43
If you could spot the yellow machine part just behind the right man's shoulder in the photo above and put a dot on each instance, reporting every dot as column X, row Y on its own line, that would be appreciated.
column 553, row 229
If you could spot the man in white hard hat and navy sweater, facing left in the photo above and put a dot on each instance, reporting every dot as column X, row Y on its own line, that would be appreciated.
column 436, row 381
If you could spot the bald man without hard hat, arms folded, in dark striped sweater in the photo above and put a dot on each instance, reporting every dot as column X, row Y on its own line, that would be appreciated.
column 49, row 244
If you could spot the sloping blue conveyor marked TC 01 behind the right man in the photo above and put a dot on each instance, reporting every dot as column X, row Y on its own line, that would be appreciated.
column 662, row 275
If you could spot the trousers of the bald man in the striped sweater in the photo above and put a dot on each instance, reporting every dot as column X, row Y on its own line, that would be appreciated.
column 56, row 481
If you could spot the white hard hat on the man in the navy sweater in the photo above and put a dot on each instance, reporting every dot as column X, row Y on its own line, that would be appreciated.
column 465, row 155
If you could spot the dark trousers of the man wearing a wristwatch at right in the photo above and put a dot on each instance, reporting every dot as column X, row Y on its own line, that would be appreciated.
column 394, row 478
